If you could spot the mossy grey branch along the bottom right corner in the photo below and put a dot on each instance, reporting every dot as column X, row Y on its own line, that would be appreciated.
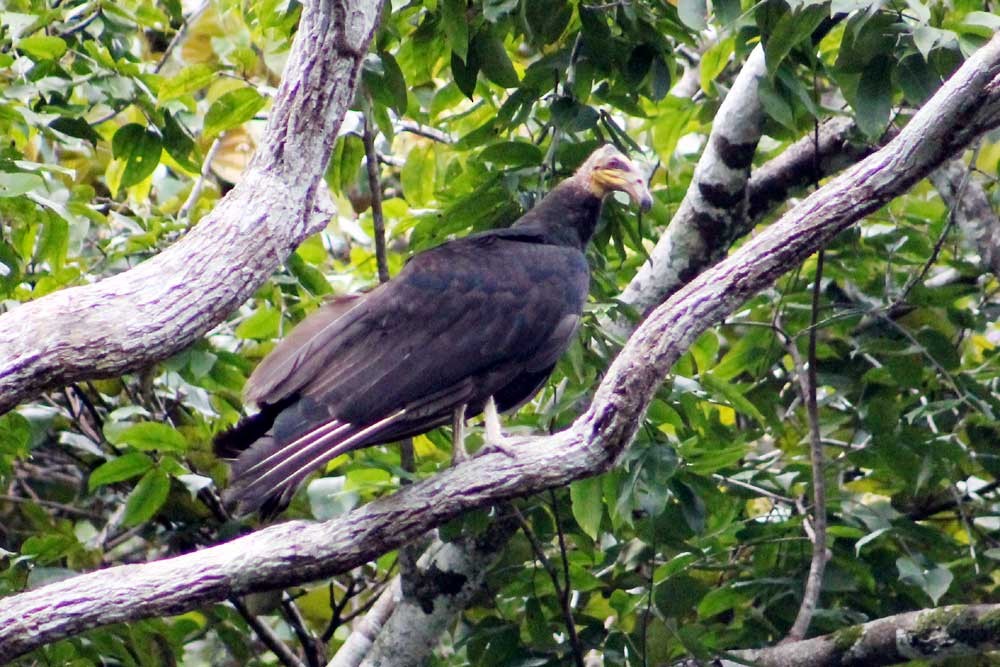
column 931, row 634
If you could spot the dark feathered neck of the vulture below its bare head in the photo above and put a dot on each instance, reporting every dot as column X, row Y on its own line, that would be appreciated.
column 567, row 215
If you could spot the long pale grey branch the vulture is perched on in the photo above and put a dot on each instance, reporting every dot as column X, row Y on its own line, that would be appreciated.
column 294, row 552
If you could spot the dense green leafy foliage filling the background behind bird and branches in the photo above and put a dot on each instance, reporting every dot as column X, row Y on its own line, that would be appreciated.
column 696, row 542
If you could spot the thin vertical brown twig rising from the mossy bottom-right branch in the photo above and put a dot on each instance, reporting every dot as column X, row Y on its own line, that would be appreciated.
column 814, row 582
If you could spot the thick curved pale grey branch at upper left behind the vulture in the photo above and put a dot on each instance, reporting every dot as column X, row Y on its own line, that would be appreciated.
column 131, row 320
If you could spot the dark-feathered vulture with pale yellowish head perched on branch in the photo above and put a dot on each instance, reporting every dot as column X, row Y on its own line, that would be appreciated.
column 473, row 325
